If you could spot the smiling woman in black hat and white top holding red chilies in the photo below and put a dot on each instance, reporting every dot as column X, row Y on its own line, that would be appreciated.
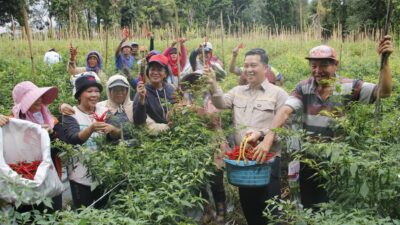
column 80, row 129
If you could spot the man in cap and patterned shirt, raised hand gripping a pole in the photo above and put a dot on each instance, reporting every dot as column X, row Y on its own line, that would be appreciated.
column 320, row 92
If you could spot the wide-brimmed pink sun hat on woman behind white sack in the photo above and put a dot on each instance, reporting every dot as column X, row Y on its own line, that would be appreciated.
column 26, row 93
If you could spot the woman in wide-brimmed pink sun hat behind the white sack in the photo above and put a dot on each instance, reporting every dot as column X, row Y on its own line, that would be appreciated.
column 31, row 104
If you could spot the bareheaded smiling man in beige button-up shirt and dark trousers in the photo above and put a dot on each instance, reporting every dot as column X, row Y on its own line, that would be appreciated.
column 254, row 106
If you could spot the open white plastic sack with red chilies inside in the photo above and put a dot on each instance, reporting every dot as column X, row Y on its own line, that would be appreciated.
column 22, row 140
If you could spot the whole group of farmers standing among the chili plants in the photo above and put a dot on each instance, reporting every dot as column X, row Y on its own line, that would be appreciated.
column 258, row 103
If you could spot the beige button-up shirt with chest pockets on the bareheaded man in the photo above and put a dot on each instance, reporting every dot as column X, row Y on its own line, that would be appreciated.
column 253, row 110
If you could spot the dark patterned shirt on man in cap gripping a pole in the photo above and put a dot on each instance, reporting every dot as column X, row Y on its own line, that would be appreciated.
column 317, row 113
